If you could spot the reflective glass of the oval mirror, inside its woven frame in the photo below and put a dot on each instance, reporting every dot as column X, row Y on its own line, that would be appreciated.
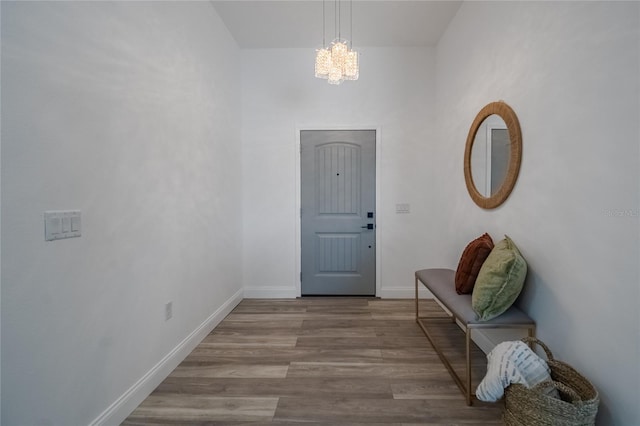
column 490, row 155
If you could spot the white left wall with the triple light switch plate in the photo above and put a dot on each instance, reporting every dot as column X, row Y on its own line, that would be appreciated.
column 130, row 112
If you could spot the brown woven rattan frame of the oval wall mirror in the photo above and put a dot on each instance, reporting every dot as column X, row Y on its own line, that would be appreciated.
column 515, row 135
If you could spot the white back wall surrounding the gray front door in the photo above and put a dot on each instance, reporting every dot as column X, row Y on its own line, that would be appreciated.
column 280, row 94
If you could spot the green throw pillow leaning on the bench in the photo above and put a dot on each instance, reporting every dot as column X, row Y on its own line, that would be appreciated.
column 499, row 281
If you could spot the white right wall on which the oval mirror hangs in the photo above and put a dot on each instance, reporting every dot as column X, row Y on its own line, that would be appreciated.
column 571, row 72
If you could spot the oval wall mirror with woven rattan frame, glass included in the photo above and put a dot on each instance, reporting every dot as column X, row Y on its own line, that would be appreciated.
column 492, row 155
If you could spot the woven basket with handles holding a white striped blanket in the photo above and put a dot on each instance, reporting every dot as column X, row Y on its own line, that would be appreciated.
column 577, row 406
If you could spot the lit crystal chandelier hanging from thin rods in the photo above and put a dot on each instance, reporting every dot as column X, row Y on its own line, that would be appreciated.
column 337, row 62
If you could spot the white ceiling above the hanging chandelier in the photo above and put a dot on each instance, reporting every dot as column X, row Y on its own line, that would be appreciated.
column 291, row 24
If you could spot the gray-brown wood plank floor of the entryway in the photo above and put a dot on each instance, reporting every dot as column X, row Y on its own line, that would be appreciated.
column 326, row 361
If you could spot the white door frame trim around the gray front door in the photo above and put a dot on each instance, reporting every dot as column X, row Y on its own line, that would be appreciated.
column 298, row 205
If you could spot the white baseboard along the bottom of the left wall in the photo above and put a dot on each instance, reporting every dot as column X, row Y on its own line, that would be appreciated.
column 128, row 401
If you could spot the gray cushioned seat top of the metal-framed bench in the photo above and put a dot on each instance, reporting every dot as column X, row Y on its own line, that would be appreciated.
column 440, row 283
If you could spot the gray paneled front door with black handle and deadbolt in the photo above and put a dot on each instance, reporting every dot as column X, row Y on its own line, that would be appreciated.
column 338, row 212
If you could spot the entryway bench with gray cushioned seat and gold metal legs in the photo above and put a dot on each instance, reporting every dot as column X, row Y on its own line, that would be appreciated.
column 440, row 282
